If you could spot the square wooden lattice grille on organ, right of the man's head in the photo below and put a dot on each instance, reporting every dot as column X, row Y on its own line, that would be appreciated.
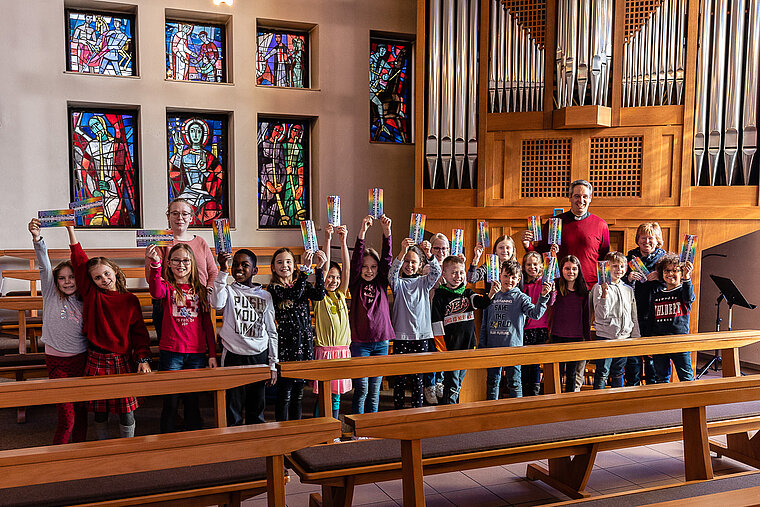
column 615, row 166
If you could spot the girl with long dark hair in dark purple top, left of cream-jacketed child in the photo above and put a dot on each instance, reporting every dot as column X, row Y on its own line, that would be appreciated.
column 570, row 316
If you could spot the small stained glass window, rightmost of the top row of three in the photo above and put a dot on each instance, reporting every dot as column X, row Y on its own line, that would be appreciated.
column 282, row 59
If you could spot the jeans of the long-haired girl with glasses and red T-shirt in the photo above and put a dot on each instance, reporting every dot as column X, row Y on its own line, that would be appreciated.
column 181, row 361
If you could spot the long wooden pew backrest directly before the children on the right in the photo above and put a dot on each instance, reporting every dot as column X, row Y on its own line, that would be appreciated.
column 551, row 355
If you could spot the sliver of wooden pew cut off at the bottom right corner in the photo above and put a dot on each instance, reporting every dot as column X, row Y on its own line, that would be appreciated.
column 742, row 489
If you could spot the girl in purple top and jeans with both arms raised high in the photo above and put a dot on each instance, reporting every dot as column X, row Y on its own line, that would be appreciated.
column 370, row 317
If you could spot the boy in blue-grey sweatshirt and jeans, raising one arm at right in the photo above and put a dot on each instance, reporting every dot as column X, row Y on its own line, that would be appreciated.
column 503, row 324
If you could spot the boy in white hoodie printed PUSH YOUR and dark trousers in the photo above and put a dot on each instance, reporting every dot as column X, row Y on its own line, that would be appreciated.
column 248, row 334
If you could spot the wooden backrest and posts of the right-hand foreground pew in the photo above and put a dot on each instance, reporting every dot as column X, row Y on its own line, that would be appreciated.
column 410, row 426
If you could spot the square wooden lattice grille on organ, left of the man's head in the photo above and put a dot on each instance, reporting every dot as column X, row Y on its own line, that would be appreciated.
column 545, row 167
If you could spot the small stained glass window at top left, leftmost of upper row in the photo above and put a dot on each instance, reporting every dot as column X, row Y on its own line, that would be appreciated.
column 100, row 43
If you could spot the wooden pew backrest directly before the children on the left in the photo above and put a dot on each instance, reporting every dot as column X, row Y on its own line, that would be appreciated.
column 218, row 380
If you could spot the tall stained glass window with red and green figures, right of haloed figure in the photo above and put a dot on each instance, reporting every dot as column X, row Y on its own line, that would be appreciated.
column 283, row 173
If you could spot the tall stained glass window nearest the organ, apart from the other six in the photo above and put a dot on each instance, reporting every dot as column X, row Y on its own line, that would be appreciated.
column 389, row 90
